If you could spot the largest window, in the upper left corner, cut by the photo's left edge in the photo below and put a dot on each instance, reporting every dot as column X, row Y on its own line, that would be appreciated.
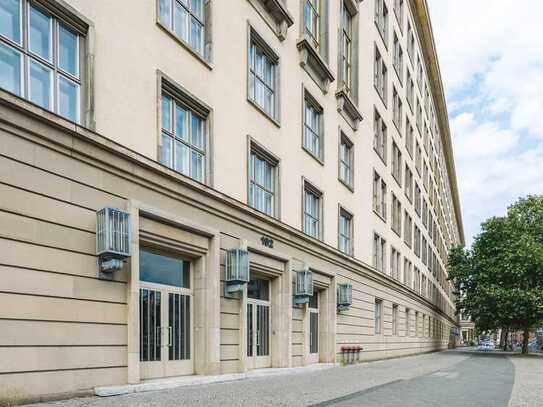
column 40, row 58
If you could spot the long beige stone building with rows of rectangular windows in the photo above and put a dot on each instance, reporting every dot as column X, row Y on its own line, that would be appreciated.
column 308, row 135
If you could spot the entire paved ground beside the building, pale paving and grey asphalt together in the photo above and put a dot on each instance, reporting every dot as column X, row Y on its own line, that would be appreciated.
column 448, row 379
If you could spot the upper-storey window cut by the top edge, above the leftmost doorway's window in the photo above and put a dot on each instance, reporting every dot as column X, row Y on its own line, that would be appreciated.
column 186, row 20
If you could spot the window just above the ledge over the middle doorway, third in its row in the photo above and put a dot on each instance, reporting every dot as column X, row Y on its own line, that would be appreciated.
column 262, row 182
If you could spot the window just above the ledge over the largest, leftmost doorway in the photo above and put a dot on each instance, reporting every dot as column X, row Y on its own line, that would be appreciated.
column 183, row 140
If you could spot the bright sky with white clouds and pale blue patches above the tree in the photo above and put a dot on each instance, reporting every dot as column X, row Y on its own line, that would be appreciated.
column 491, row 58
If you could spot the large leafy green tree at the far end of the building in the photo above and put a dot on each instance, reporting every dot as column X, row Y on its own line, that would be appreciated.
column 499, row 282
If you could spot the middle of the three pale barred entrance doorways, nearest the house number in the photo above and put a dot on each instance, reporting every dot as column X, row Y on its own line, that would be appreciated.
column 258, row 324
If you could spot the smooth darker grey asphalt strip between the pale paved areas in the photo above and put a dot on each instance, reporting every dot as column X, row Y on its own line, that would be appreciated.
column 479, row 381
